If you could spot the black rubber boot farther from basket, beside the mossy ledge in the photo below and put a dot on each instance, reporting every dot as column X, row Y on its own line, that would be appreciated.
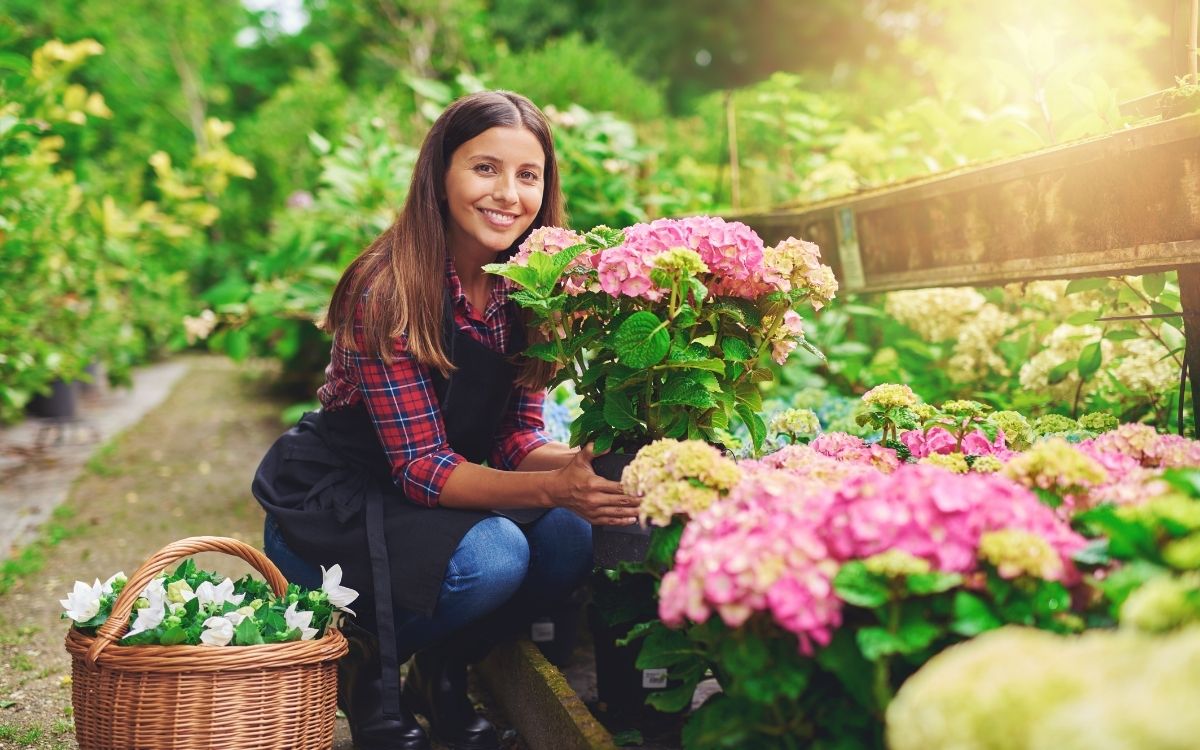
column 437, row 688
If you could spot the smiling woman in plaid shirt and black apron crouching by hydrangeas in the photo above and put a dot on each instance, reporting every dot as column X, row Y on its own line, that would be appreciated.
column 423, row 387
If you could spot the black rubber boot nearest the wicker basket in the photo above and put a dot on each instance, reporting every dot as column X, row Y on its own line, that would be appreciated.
column 361, row 695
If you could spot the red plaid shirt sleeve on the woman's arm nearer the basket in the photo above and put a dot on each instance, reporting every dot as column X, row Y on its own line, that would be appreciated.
column 409, row 421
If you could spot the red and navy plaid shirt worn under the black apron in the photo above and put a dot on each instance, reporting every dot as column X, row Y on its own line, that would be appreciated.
column 405, row 410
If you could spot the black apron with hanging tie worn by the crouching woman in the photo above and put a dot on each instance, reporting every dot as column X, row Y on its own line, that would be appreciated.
column 328, row 484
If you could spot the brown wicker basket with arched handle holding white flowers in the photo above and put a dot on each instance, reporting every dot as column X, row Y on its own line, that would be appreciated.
column 193, row 698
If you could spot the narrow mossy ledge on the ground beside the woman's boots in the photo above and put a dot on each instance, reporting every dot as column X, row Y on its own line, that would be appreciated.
column 536, row 698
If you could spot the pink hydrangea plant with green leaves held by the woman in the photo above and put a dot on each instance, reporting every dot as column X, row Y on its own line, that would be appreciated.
column 662, row 327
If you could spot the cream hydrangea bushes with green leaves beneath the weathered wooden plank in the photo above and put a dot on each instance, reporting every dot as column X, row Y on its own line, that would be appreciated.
column 1027, row 347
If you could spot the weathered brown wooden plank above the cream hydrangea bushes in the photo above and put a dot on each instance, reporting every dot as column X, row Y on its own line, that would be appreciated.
column 1125, row 203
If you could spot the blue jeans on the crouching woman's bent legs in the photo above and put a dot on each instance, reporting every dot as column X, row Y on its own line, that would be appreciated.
column 497, row 562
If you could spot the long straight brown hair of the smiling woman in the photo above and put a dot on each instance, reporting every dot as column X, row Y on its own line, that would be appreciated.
column 405, row 267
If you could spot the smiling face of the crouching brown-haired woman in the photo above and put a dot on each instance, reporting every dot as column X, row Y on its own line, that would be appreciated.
column 494, row 187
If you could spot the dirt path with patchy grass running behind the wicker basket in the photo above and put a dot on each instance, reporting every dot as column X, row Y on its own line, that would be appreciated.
column 182, row 471
